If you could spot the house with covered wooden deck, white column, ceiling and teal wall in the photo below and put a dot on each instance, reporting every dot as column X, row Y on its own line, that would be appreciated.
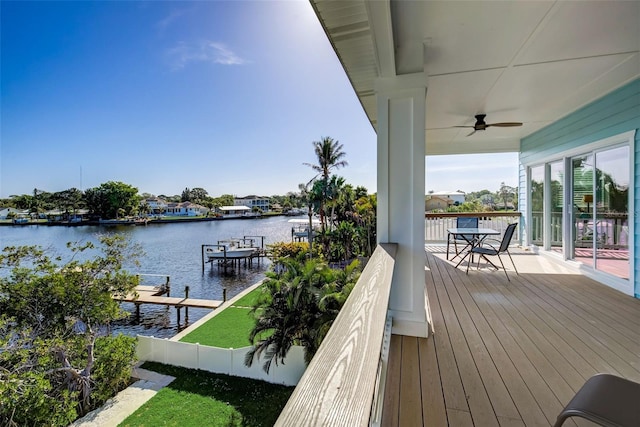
column 476, row 349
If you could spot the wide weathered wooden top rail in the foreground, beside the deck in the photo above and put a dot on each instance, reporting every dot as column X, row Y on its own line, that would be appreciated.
column 339, row 386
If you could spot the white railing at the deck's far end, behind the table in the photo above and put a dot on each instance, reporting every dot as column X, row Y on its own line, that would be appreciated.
column 436, row 224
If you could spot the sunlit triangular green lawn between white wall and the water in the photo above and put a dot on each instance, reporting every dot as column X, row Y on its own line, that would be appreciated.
column 230, row 328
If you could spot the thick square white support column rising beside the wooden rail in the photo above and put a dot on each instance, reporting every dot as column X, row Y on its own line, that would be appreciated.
column 401, row 190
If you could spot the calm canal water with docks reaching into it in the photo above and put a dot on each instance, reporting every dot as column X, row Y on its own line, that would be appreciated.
column 170, row 249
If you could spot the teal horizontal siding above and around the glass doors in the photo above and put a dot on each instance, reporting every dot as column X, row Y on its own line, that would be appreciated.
column 616, row 113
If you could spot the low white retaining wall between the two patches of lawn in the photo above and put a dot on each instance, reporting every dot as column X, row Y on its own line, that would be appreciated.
column 221, row 360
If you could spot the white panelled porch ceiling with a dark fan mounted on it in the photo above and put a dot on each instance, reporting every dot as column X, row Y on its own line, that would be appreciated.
column 525, row 61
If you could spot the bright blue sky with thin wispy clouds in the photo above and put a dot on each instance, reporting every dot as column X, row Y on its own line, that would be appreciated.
column 162, row 95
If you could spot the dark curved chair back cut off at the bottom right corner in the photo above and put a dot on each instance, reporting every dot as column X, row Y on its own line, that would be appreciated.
column 606, row 400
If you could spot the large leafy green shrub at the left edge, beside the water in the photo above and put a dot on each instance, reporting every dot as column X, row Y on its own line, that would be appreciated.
column 57, row 358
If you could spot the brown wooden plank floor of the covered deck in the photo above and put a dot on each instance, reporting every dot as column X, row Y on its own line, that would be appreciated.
column 508, row 353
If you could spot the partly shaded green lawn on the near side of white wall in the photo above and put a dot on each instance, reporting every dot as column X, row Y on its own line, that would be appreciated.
column 198, row 398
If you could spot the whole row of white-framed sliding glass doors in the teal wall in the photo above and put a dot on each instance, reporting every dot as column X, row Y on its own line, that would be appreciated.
column 579, row 207
